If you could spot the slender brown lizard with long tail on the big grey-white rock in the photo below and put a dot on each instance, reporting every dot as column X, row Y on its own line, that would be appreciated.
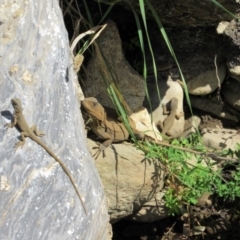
column 33, row 133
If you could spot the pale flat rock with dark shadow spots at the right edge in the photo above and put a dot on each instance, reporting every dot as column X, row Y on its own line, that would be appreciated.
column 220, row 138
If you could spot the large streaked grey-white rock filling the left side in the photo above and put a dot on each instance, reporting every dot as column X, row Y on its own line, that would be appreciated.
column 37, row 199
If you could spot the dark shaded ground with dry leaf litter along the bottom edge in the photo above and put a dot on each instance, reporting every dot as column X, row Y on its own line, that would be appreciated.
column 220, row 221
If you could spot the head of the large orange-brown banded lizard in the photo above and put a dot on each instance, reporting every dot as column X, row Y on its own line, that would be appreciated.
column 94, row 108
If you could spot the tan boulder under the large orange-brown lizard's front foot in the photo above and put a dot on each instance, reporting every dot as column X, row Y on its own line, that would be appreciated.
column 128, row 180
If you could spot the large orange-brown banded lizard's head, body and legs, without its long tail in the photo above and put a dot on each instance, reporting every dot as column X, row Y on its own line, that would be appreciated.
column 107, row 128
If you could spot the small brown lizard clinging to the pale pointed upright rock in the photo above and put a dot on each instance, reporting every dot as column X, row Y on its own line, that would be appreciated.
column 172, row 114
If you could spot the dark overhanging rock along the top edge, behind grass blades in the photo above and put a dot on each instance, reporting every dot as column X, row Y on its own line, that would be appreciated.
column 184, row 13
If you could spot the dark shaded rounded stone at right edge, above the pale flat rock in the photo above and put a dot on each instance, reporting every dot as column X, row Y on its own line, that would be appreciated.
column 231, row 93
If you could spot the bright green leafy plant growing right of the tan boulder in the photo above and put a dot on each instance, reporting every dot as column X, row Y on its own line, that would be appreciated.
column 187, row 180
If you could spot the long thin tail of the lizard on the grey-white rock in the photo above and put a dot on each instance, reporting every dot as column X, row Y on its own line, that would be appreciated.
column 52, row 154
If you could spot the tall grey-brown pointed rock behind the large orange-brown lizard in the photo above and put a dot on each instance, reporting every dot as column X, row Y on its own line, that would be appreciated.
column 129, row 82
